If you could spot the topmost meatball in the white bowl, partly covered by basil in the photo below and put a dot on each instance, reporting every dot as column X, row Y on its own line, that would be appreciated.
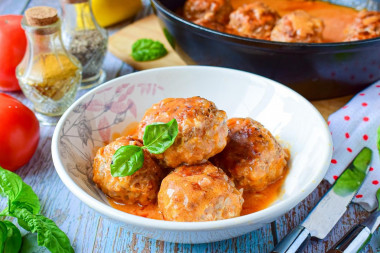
column 202, row 129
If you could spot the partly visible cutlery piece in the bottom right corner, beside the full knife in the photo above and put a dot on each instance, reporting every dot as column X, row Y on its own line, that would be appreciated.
column 360, row 235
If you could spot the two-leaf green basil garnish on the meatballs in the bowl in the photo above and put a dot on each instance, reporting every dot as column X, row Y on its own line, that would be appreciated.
column 157, row 138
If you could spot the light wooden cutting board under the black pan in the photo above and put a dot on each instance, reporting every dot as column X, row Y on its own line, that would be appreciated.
column 120, row 45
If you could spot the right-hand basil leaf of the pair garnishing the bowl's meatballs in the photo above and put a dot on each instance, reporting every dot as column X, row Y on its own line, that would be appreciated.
column 158, row 137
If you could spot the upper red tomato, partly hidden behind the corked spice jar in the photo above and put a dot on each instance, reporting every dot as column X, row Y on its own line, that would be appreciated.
column 12, row 50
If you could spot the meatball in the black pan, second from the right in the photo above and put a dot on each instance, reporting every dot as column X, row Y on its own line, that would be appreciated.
column 298, row 26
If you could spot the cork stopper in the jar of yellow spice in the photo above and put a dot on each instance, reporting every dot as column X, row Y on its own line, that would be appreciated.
column 41, row 16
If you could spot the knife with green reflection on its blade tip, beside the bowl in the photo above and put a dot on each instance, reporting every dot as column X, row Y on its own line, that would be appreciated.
column 331, row 207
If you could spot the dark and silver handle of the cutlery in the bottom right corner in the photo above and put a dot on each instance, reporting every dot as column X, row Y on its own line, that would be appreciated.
column 353, row 241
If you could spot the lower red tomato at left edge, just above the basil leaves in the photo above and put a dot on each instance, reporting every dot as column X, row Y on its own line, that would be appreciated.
column 19, row 133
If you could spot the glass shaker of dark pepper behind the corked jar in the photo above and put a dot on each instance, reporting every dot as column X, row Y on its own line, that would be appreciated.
column 85, row 39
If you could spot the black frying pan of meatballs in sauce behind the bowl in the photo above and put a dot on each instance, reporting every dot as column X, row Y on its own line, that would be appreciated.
column 316, row 71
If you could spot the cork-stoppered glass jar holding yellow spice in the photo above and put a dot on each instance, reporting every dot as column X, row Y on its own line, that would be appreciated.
column 48, row 75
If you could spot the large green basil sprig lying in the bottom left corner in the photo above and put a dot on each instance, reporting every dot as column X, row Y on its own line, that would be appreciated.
column 24, row 205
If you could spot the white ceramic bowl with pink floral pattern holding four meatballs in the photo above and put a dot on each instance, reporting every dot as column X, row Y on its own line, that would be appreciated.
column 108, row 109
